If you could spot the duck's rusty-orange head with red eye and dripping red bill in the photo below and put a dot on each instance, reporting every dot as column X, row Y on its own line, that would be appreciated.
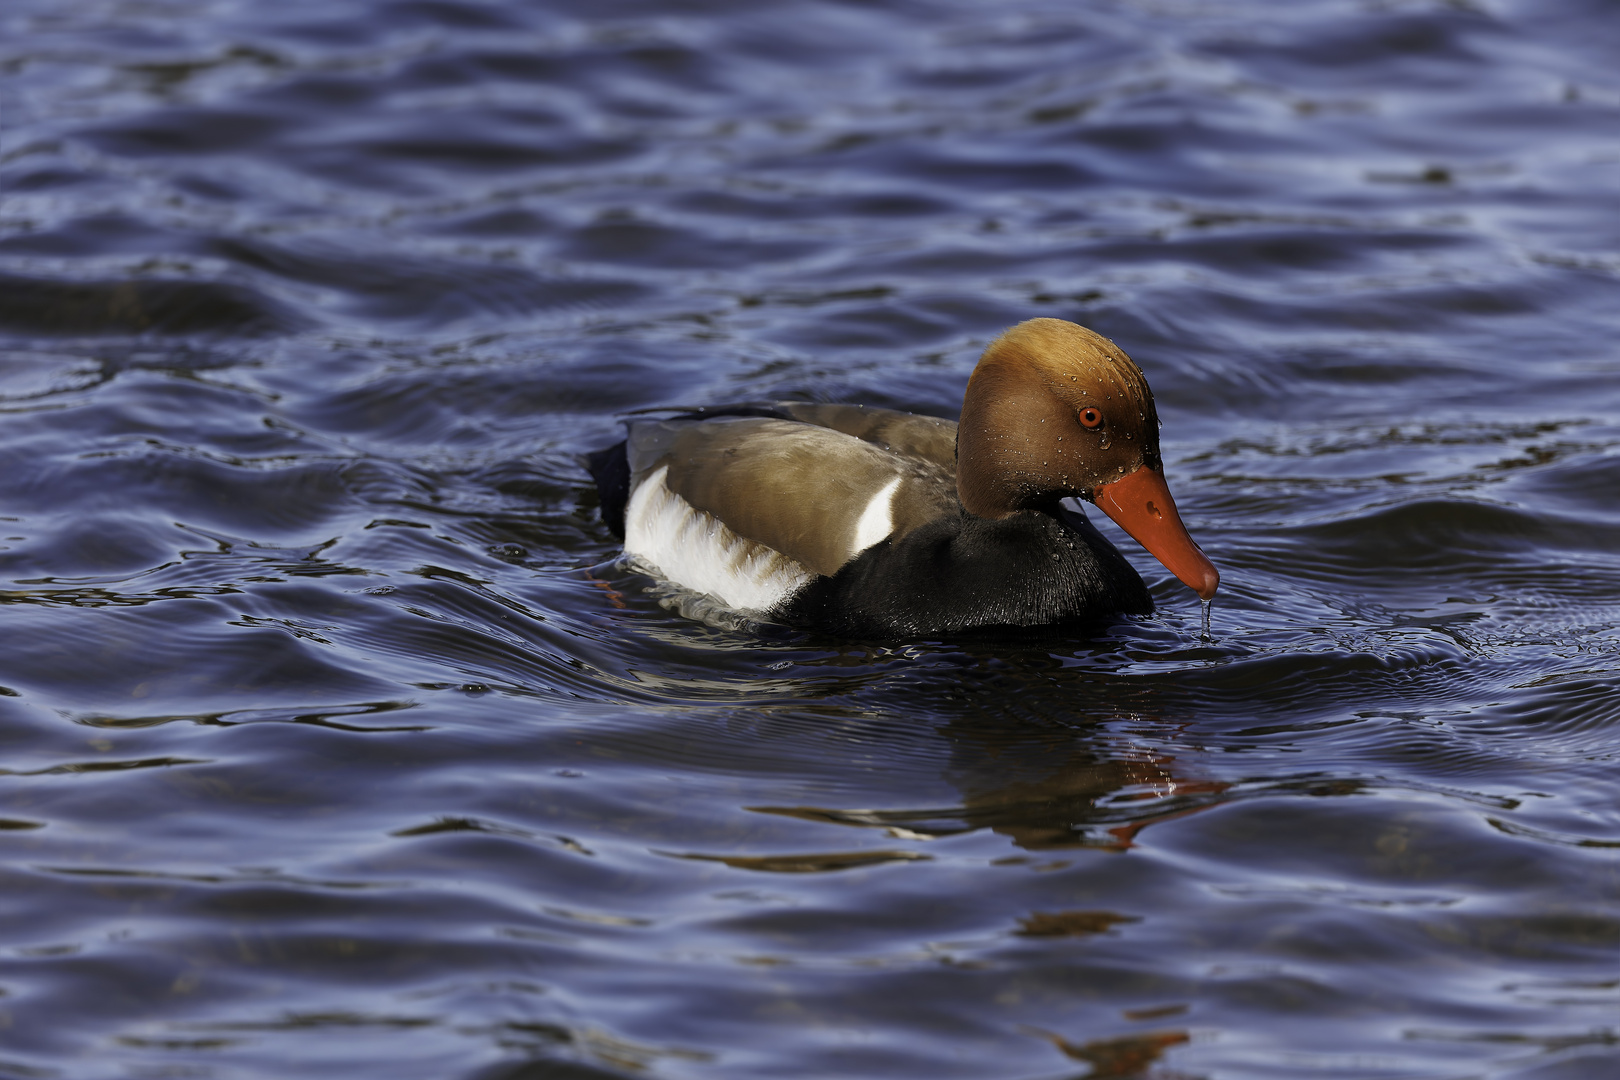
column 1055, row 410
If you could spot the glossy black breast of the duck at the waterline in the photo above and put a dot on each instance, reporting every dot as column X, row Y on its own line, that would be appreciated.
column 963, row 572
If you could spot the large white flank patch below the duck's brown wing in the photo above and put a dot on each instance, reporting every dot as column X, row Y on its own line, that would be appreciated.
column 696, row 550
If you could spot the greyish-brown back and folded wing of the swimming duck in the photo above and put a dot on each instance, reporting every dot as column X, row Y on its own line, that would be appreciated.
column 796, row 488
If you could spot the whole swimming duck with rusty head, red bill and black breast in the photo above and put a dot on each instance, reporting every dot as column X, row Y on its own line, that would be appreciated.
column 876, row 524
